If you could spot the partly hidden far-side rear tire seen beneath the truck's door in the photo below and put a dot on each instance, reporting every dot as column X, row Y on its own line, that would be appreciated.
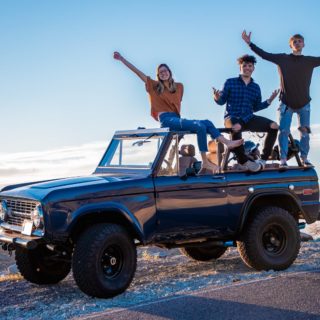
column 206, row 253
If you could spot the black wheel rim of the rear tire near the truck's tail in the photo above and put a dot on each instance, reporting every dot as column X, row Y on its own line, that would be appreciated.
column 274, row 240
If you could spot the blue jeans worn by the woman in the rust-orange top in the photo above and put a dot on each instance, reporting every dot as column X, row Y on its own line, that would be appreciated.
column 200, row 127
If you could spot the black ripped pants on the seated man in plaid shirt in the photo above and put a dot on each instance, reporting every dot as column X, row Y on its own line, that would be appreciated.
column 255, row 124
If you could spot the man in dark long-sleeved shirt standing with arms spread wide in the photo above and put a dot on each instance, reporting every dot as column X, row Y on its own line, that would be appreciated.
column 295, row 72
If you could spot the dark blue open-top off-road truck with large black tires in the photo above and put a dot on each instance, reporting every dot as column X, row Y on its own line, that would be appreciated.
column 147, row 190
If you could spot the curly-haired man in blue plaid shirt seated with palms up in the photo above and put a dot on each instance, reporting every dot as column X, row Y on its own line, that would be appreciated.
column 242, row 97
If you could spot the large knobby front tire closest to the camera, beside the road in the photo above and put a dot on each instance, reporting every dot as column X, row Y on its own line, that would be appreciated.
column 104, row 260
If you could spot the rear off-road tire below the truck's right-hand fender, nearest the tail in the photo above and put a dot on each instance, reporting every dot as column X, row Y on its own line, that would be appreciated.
column 271, row 240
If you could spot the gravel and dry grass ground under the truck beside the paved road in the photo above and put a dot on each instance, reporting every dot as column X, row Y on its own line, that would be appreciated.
column 160, row 273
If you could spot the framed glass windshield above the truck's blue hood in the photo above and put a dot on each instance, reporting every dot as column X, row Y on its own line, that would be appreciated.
column 136, row 152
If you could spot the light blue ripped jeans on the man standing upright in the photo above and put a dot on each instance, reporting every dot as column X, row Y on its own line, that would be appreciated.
column 303, row 114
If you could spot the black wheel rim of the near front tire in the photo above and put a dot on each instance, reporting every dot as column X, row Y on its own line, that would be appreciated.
column 112, row 261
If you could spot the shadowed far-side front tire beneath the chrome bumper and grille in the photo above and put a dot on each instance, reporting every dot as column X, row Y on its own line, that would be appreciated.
column 38, row 265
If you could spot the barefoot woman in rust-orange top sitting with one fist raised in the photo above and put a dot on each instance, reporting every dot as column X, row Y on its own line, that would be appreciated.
column 165, row 98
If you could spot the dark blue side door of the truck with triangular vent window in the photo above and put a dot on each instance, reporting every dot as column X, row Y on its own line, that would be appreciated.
column 191, row 205
